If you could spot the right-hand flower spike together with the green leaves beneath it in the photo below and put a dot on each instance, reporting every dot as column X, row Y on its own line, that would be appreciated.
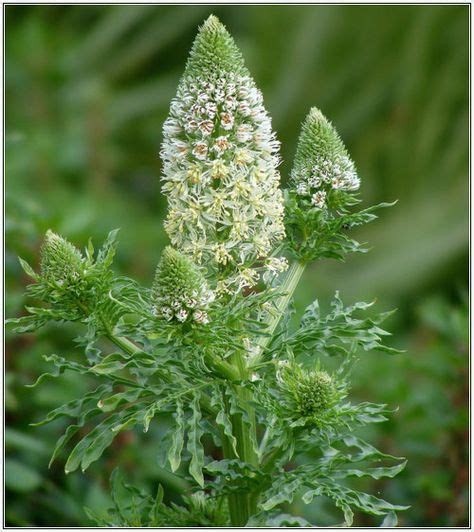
column 322, row 189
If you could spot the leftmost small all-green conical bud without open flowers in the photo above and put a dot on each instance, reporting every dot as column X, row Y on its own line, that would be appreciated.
column 61, row 262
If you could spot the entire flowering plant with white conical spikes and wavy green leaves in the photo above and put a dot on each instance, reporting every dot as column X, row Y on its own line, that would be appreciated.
column 209, row 342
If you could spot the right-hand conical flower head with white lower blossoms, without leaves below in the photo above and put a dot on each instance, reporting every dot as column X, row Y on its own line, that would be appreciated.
column 322, row 165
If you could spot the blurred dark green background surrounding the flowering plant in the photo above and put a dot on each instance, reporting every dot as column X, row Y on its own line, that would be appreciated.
column 87, row 90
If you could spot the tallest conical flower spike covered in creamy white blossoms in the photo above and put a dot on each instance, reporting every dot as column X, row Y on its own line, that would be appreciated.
column 220, row 160
